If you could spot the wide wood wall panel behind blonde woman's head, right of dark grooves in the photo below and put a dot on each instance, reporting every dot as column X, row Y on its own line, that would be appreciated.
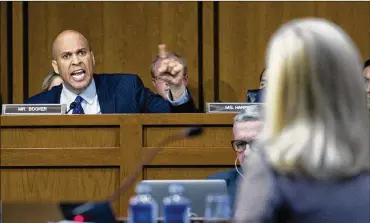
column 245, row 28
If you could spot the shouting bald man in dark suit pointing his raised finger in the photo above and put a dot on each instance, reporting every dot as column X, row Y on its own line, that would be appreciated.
column 91, row 93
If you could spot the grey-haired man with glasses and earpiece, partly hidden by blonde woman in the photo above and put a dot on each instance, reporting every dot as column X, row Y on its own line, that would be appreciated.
column 246, row 127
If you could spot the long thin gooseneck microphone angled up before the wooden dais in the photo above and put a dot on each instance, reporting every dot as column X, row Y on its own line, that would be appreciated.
column 90, row 206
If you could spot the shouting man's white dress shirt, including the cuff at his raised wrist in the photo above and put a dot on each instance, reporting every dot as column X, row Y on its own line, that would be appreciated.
column 90, row 103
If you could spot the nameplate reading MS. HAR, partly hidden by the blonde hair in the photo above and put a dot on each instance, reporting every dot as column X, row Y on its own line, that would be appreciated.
column 229, row 107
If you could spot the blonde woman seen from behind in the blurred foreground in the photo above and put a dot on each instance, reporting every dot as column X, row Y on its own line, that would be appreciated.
column 314, row 160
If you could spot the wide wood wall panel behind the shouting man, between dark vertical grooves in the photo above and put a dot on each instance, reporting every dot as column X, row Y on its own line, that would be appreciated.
column 124, row 35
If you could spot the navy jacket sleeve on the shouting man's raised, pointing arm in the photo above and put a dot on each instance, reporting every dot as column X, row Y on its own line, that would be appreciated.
column 153, row 103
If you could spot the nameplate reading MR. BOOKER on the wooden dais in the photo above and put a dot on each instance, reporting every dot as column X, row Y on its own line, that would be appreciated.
column 36, row 109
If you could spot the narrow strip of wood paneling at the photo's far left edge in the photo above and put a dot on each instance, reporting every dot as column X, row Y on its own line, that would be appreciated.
column 3, row 52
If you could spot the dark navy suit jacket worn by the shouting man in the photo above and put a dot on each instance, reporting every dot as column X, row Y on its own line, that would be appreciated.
column 120, row 93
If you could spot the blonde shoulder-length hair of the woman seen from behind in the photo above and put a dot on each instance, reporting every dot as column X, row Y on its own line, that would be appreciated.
column 316, row 120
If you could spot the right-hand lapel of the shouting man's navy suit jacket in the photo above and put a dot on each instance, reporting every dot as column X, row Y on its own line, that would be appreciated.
column 105, row 95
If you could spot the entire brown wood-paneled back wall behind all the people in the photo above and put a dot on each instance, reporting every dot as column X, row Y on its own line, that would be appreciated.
column 124, row 37
